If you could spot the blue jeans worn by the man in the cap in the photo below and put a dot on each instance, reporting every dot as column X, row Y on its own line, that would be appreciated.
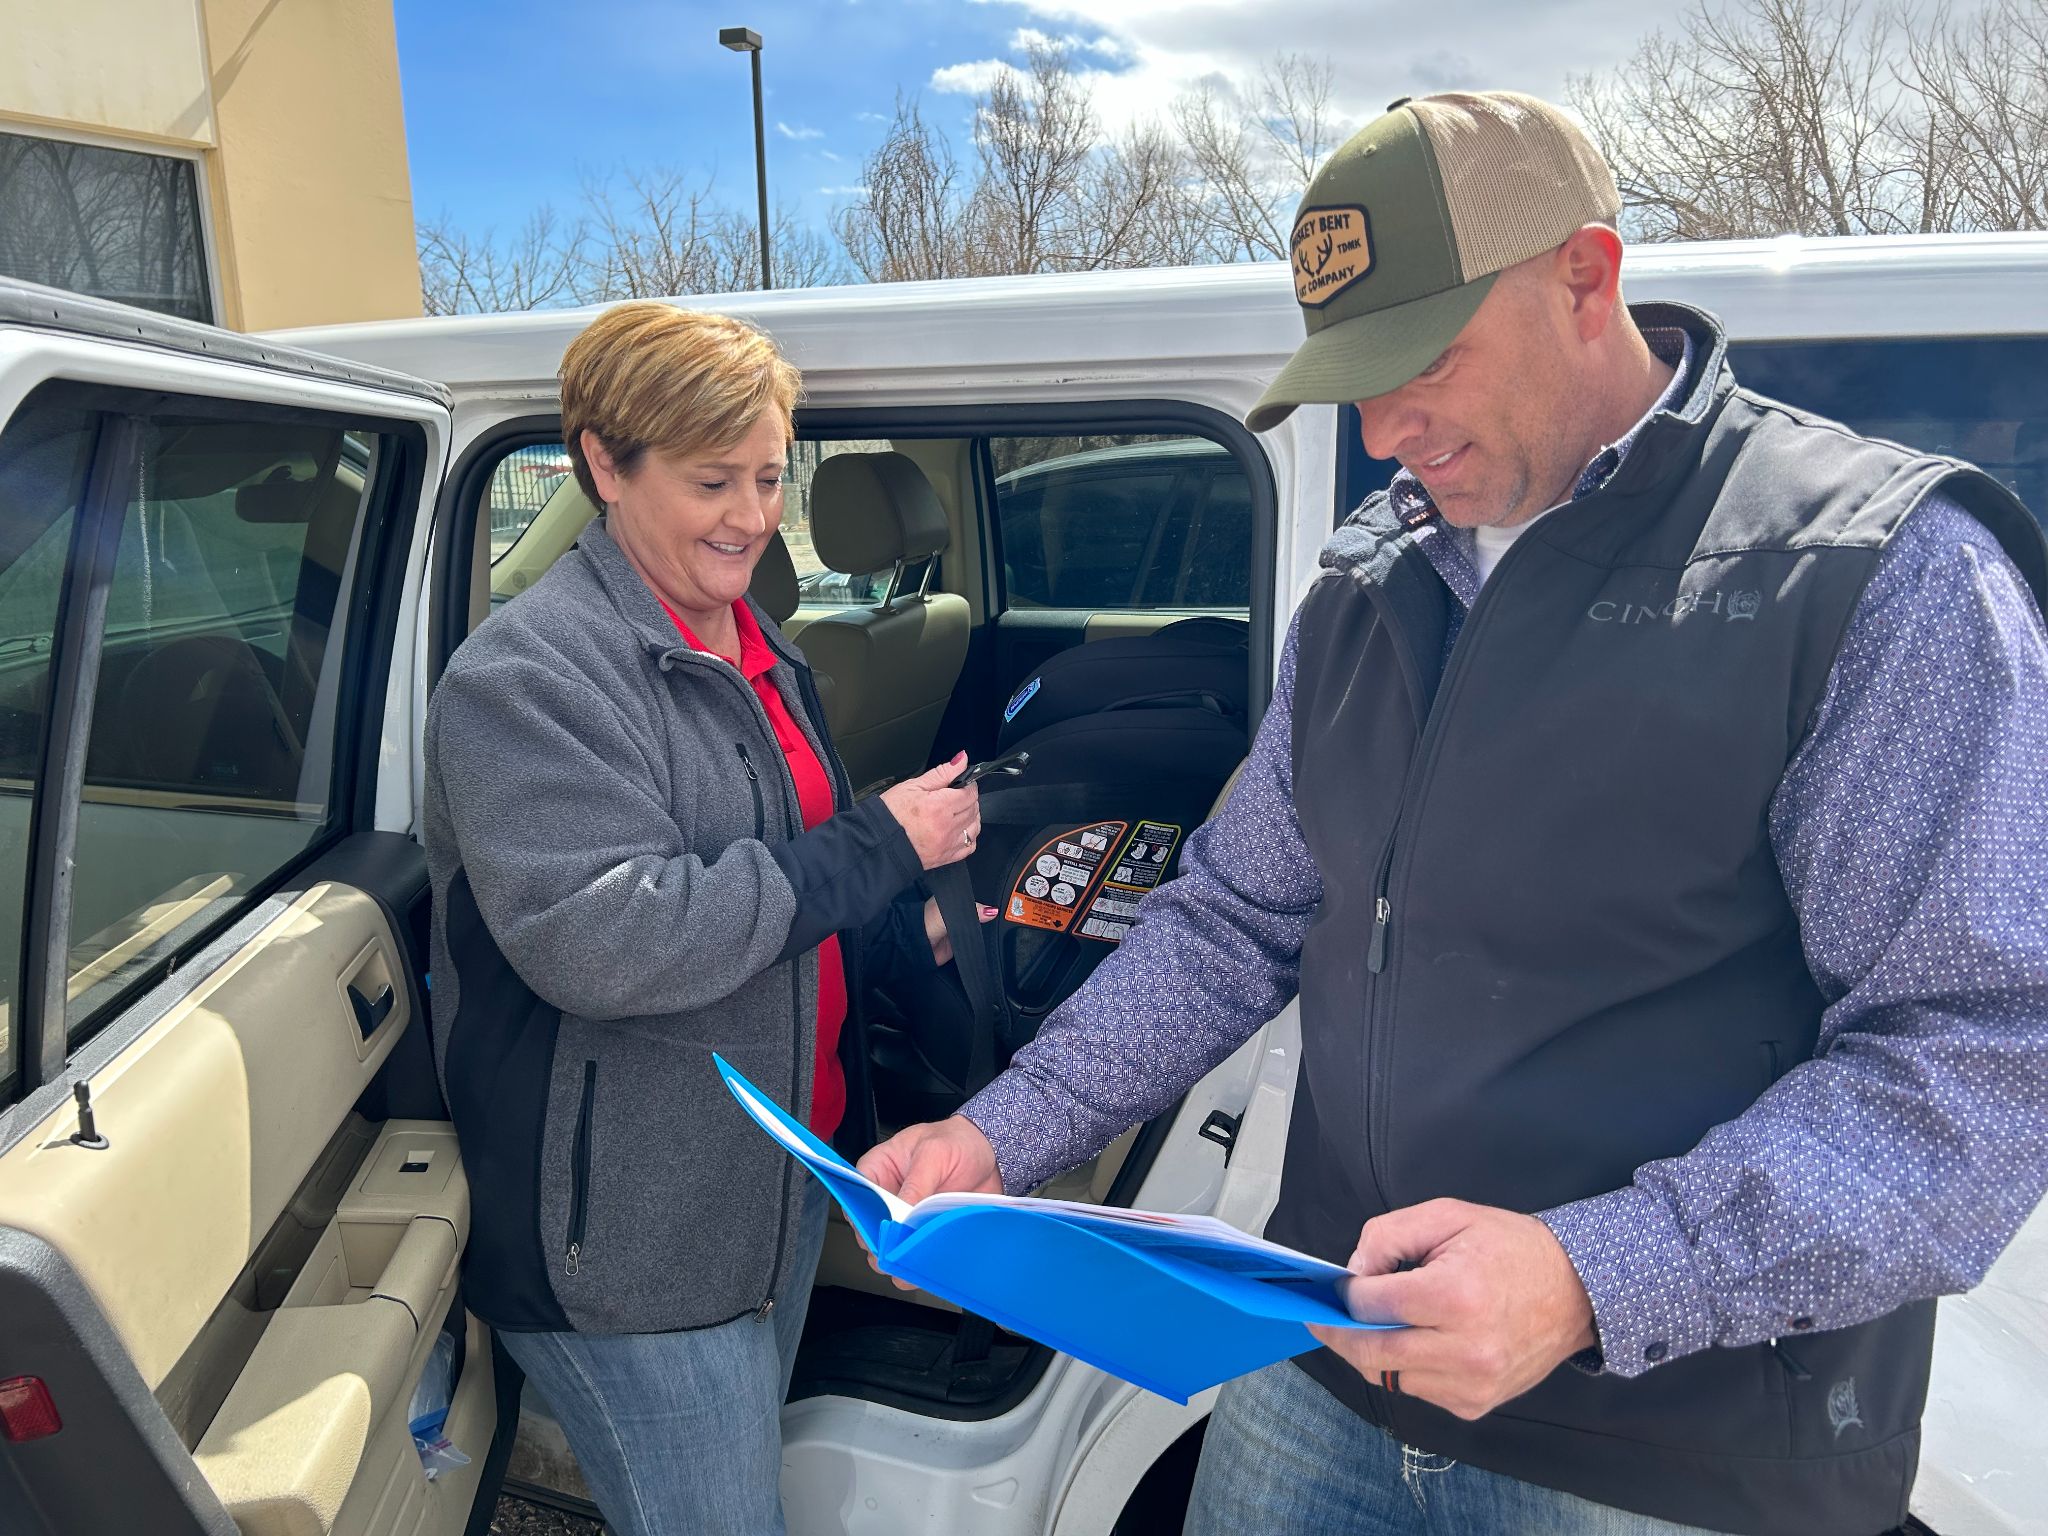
column 1287, row 1459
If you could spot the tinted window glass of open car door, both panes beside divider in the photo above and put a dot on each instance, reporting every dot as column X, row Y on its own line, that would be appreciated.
column 212, row 749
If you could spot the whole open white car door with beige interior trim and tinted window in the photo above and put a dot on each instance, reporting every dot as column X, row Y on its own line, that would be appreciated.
column 237, row 1293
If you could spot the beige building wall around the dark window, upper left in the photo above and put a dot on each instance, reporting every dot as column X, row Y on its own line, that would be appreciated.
column 292, row 110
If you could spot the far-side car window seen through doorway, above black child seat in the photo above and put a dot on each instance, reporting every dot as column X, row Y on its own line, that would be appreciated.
column 1125, row 521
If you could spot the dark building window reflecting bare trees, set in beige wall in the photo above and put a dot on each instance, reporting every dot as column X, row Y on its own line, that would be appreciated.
column 105, row 222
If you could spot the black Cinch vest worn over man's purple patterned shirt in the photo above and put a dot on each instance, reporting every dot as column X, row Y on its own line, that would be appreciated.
column 1555, row 943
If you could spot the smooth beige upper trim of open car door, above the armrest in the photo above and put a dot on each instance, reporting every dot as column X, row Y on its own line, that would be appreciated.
column 214, row 1117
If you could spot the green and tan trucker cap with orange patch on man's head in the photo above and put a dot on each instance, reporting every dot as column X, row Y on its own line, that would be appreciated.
column 1402, row 234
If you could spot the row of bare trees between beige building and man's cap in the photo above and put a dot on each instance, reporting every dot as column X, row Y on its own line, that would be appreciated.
column 1043, row 189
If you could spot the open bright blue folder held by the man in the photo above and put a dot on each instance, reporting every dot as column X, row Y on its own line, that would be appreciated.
column 1168, row 1304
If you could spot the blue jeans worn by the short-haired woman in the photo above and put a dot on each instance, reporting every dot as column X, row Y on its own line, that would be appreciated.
column 683, row 1433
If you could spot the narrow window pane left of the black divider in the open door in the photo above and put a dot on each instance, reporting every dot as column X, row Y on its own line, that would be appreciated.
column 44, row 458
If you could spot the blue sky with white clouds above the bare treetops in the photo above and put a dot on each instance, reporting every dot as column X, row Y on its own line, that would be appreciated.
column 511, row 103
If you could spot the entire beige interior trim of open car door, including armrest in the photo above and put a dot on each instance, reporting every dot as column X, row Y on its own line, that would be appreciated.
column 216, row 1121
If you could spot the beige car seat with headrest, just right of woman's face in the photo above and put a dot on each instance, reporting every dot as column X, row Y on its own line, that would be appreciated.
column 894, row 667
